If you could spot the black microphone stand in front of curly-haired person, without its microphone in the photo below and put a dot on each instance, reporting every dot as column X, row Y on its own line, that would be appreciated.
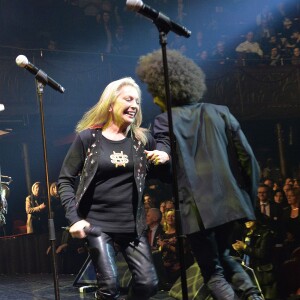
column 163, row 28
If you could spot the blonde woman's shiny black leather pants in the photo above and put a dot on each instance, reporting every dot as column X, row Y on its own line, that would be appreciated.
column 138, row 256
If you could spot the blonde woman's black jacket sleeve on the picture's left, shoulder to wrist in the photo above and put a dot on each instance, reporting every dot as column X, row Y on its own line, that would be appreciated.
column 71, row 169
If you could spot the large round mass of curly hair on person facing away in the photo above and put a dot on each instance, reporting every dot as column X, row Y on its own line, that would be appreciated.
column 187, row 80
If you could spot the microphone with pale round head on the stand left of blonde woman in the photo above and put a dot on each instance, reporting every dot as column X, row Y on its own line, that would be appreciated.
column 23, row 62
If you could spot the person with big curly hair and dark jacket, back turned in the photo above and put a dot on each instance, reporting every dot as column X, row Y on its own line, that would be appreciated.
column 217, row 170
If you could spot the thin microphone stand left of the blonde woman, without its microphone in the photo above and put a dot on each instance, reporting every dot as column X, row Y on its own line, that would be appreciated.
column 40, row 91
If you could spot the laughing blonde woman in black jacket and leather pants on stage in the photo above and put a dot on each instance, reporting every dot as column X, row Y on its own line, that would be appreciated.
column 113, row 155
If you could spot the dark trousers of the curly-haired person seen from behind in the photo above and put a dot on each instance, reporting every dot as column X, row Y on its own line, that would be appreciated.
column 223, row 275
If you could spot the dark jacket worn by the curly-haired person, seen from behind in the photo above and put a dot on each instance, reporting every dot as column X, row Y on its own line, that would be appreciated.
column 209, row 193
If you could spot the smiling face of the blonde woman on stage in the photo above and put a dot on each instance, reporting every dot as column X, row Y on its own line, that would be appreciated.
column 126, row 106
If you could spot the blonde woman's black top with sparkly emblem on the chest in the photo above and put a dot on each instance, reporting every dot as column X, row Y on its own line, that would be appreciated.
column 114, row 198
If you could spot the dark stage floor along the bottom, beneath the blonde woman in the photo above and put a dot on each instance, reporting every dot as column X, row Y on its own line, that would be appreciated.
column 41, row 286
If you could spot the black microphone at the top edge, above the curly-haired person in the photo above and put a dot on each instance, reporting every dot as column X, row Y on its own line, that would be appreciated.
column 157, row 17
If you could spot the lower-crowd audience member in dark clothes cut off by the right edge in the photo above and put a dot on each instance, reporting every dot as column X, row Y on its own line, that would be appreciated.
column 291, row 223
